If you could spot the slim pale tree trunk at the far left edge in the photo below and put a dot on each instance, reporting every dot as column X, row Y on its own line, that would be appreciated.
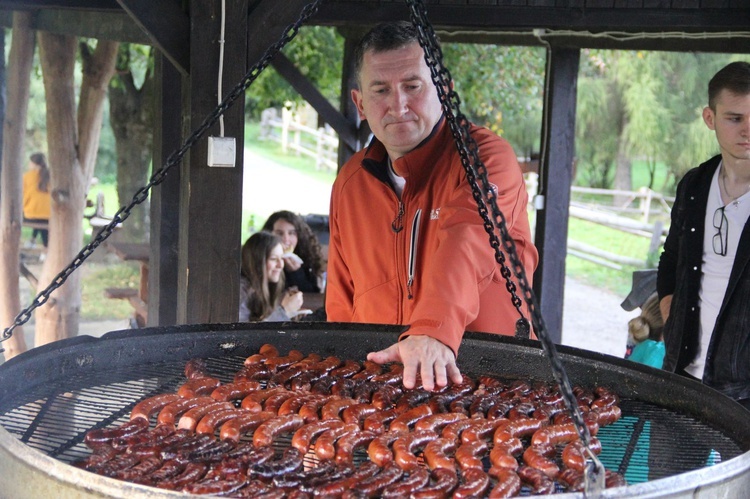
column 11, row 211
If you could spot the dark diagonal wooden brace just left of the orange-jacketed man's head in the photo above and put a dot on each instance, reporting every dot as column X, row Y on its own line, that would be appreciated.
column 306, row 89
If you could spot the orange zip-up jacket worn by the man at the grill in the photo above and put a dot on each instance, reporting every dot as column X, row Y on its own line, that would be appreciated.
column 437, row 274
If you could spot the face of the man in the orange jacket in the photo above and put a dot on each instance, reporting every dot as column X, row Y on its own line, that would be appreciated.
column 397, row 98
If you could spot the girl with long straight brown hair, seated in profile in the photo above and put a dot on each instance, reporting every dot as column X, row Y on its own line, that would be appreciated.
column 262, row 293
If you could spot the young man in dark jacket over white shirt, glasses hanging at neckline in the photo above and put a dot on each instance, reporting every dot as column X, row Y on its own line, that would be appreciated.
column 704, row 273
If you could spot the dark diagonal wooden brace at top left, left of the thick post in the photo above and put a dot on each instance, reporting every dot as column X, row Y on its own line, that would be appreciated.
column 166, row 25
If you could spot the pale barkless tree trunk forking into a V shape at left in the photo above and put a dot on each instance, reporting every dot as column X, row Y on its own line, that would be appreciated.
column 72, row 139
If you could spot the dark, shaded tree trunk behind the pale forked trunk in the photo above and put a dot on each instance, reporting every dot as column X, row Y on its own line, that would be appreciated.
column 131, row 118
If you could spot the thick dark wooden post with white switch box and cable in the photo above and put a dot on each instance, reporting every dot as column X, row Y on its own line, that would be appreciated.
column 211, row 197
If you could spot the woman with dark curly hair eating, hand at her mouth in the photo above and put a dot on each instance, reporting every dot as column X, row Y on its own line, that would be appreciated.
column 303, row 257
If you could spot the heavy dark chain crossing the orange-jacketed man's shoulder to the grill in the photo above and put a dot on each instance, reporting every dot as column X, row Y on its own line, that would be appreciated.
column 468, row 150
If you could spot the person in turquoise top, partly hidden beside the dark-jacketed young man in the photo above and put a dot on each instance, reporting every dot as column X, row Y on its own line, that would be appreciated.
column 645, row 334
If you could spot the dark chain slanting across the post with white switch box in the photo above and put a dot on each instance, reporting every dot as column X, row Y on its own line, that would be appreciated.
column 158, row 177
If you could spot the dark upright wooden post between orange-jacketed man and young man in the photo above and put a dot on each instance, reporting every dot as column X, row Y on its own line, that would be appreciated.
column 556, row 177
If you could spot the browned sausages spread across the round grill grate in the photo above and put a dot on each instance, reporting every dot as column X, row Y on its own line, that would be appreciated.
column 304, row 426
